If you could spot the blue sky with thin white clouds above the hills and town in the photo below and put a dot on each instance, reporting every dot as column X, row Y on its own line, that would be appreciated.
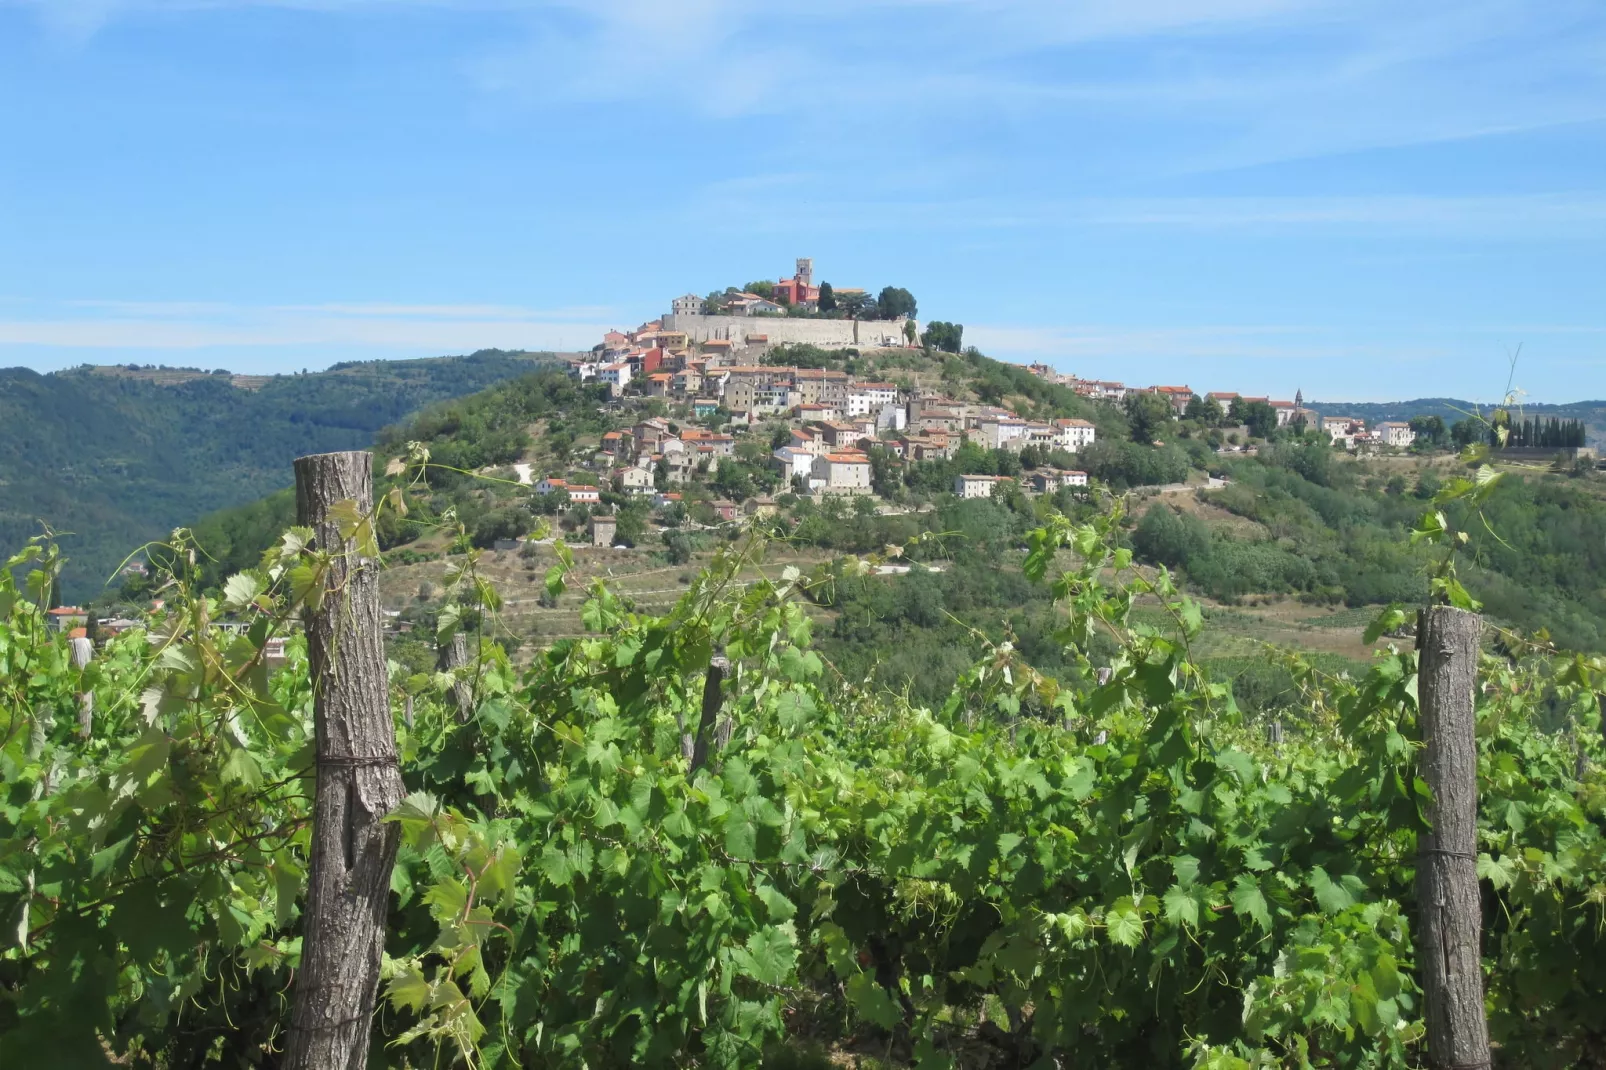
column 1363, row 200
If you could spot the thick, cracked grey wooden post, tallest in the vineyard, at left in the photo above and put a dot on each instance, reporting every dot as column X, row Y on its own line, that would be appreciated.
column 357, row 783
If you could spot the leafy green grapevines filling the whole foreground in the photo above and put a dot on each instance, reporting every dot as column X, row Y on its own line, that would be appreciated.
column 687, row 841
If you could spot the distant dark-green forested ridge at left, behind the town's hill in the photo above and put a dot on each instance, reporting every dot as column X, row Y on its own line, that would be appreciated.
column 121, row 457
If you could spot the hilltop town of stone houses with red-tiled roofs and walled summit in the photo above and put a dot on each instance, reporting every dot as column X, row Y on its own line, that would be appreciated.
column 781, row 367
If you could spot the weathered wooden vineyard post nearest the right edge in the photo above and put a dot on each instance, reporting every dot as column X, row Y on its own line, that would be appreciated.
column 1451, row 947
